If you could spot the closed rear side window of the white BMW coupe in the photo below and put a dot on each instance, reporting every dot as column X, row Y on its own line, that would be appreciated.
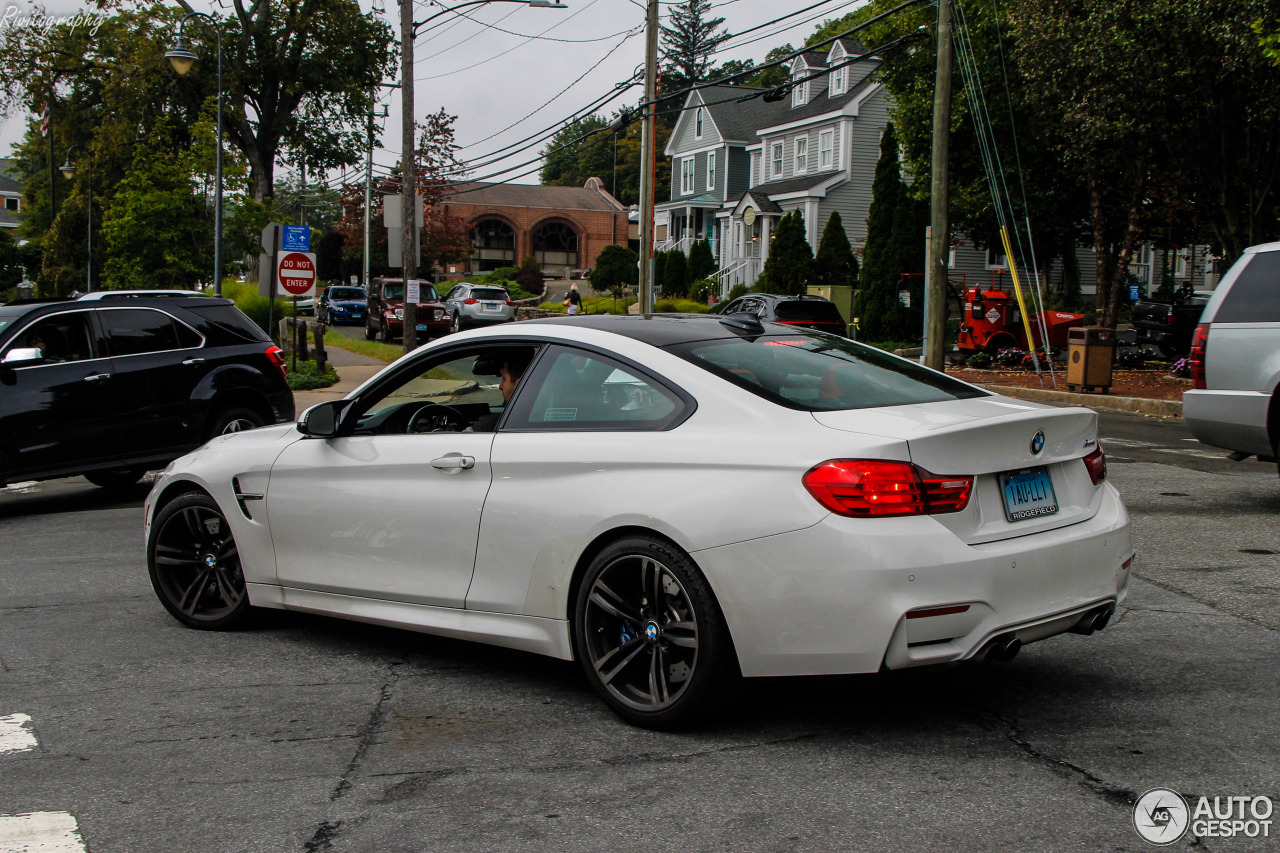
column 578, row 390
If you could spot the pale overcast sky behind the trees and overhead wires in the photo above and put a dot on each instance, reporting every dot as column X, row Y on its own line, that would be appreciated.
column 492, row 80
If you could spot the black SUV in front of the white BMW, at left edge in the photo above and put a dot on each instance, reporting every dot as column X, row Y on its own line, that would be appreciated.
column 115, row 385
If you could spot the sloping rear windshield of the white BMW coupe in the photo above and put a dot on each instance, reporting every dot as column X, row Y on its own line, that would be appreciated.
column 816, row 373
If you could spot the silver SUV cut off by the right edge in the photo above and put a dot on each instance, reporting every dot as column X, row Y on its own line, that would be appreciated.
column 1236, row 361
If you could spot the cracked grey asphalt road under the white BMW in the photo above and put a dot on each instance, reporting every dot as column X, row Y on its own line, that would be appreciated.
column 314, row 735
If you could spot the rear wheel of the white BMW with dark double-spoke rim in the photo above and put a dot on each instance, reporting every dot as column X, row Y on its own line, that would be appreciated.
column 651, row 636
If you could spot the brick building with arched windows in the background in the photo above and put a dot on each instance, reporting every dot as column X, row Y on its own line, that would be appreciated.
column 565, row 229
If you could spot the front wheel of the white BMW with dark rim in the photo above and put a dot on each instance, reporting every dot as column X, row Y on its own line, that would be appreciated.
column 195, row 567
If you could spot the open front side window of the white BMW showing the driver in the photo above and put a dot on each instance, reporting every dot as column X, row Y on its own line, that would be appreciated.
column 454, row 393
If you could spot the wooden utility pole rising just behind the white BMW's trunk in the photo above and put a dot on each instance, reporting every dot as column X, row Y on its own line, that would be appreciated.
column 940, row 243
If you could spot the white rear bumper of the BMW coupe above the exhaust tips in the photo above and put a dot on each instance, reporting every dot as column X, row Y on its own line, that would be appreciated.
column 835, row 599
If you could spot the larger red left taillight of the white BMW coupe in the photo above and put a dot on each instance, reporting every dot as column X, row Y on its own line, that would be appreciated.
column 877, row 489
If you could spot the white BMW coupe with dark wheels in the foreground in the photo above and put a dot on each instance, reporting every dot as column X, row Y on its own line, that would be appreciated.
column 671, row 500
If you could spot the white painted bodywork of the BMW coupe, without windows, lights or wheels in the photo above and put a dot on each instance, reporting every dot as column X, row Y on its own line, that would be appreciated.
column 365, row 528
